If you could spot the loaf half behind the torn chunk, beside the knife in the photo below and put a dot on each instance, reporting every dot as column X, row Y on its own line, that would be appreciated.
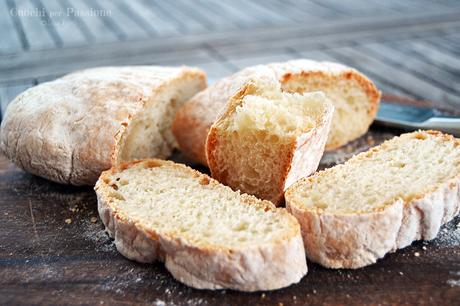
column 354, row 96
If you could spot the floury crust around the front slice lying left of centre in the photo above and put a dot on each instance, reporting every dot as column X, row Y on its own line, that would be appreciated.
column 260, row 267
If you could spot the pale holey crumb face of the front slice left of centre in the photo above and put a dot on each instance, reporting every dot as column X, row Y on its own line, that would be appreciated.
column 154, row 191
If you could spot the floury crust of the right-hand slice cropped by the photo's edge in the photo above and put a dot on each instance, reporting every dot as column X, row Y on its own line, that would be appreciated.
column 357, row 240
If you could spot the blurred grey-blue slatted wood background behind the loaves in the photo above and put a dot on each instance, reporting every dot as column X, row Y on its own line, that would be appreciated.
column 410, row 48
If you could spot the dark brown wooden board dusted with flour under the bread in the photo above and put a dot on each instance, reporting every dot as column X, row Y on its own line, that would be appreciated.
column 53, row 250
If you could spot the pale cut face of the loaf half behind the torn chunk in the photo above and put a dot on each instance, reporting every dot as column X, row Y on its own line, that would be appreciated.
column 354, row 96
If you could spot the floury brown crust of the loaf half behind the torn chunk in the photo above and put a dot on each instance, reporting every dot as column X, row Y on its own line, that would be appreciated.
column 195, row 118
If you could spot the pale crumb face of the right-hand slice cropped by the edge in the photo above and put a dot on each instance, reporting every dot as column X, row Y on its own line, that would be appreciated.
column 405, row 167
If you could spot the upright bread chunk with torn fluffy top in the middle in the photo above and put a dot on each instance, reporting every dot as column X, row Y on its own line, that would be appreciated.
column 267, row 139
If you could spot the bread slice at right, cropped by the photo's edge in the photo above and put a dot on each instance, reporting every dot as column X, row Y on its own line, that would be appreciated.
column 380, row 200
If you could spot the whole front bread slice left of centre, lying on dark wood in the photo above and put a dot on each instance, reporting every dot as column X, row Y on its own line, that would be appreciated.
column 209, row 236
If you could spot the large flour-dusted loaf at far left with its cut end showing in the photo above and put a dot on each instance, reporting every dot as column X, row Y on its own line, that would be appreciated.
column 71, row 129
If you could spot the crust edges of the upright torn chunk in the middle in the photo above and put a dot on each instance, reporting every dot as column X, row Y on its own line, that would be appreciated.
column 301, row 159
